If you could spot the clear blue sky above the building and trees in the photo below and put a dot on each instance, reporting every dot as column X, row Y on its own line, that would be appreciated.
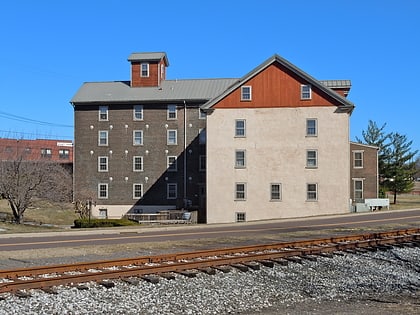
column 49, row 48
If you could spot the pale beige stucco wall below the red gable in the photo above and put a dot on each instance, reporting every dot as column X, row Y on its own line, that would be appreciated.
column 276, row 146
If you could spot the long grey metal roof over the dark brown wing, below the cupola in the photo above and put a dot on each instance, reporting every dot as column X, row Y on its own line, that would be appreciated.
column 170, row 90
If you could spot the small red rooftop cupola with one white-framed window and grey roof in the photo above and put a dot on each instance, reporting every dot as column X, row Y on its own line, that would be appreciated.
column 148, row 69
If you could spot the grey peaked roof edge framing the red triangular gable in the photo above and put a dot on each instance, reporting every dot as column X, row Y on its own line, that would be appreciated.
column 347, row 106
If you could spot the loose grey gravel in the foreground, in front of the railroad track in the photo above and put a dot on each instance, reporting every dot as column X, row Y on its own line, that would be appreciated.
column 385, row 281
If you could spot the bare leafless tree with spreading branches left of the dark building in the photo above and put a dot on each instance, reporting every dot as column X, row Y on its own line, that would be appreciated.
column 21, row 181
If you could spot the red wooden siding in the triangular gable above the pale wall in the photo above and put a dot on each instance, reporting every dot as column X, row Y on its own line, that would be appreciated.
column 275, row 86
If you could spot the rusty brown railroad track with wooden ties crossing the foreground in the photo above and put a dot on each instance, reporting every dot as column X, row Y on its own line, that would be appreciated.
column 150, row 268
